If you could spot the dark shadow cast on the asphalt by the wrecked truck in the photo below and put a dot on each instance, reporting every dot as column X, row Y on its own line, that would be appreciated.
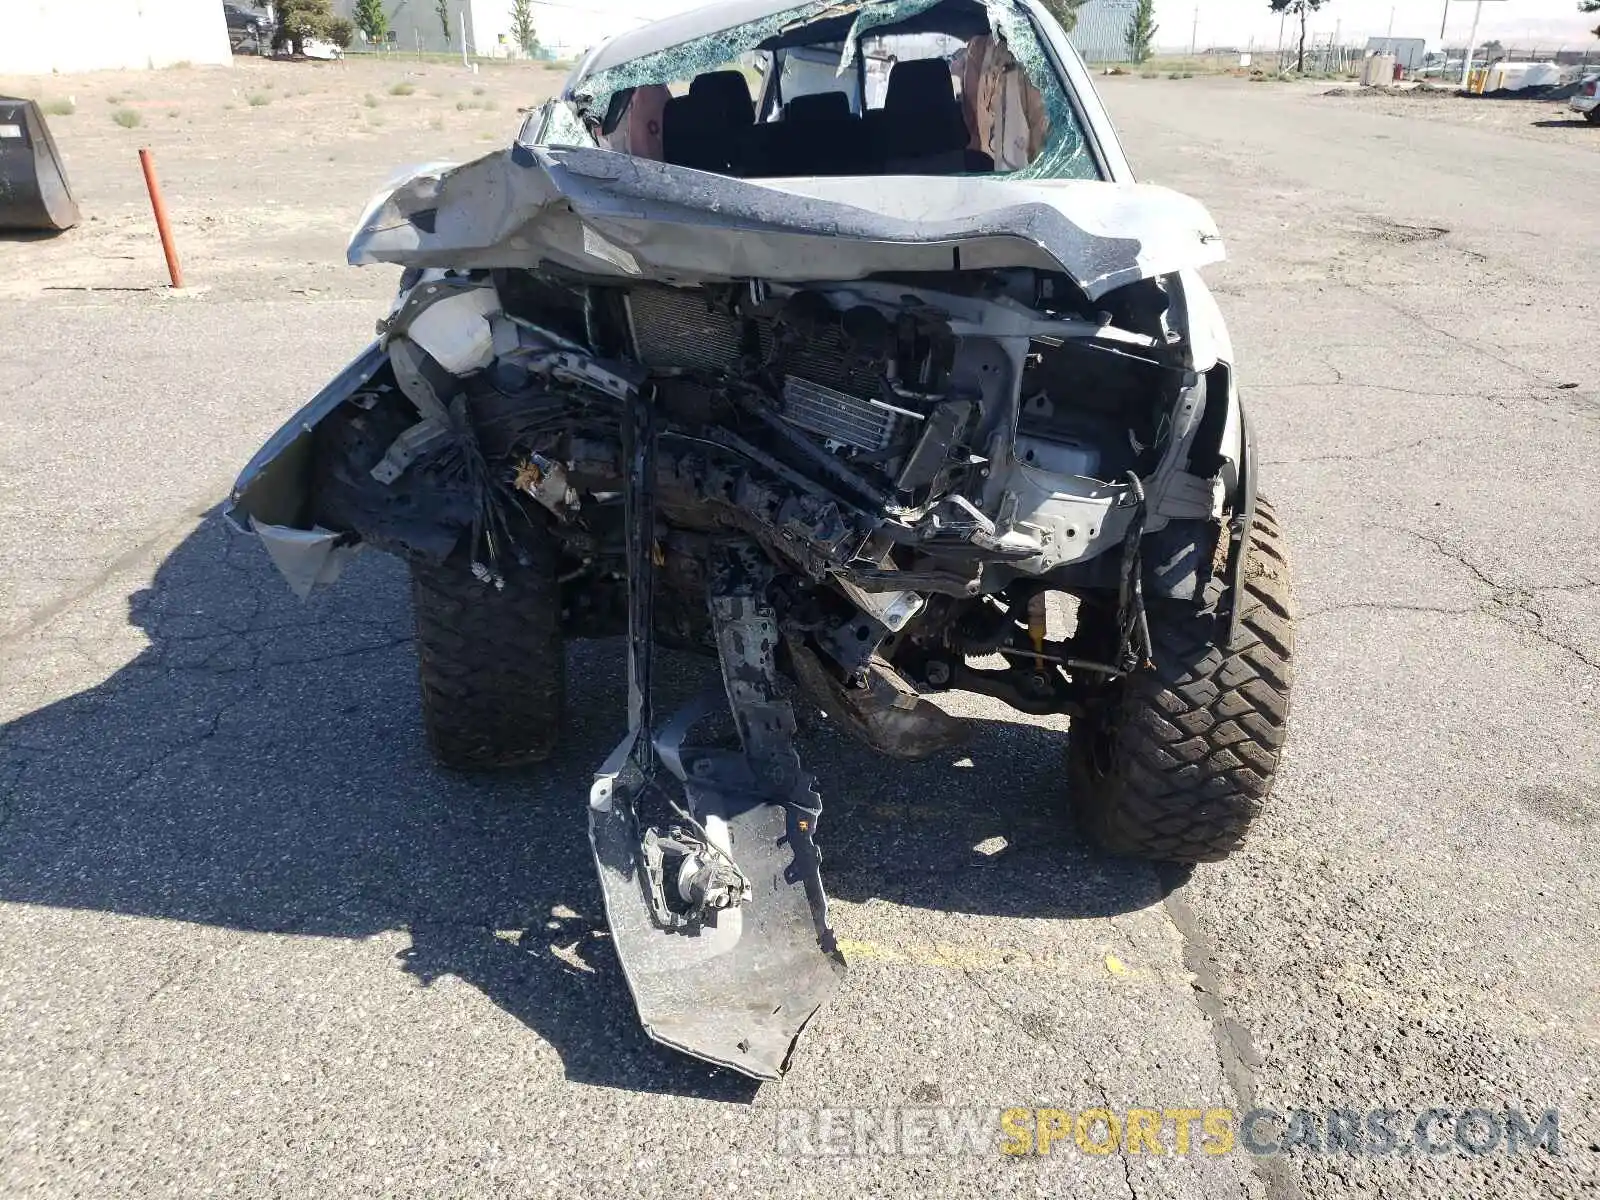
column 260, row 767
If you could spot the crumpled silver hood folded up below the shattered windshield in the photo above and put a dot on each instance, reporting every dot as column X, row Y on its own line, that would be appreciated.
column 606, row 214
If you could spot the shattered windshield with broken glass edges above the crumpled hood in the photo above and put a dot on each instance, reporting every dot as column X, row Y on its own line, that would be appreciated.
column 900, row 87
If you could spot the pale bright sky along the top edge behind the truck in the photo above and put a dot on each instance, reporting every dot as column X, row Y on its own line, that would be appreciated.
column 574, row 25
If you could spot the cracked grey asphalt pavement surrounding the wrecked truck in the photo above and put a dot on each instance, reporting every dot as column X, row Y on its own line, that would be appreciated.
column 255, row 945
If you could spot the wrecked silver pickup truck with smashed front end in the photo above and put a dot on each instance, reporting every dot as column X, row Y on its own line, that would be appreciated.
column 833, row 342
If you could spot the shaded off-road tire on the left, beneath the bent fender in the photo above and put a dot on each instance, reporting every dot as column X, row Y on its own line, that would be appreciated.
column 492, row 662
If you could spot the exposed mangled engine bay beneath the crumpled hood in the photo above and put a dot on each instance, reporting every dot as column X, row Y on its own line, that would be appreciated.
column 922, row 460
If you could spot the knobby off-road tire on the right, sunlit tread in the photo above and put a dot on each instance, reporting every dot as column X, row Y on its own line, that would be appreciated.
column 1175, row 762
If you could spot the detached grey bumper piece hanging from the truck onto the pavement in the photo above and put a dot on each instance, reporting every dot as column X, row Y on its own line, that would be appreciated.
column 706, row 855
